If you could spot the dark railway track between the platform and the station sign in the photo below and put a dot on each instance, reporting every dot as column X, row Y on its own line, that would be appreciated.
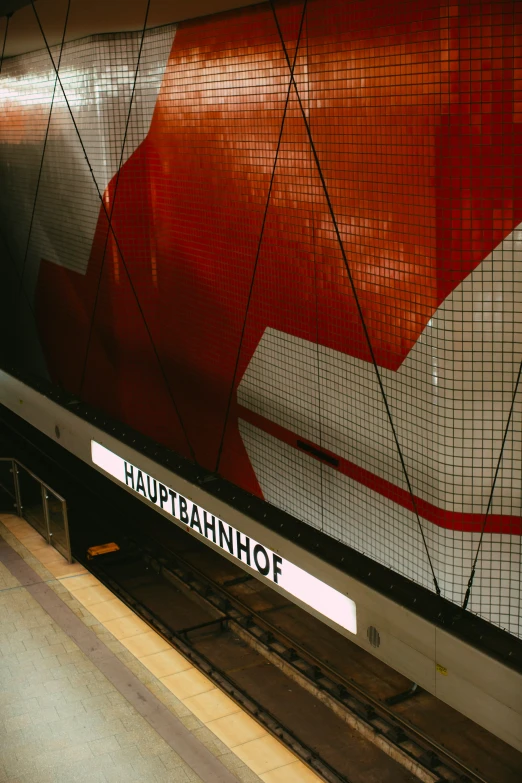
column 398, row 738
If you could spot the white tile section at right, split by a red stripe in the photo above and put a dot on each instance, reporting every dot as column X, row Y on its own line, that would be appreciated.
column 450, row 402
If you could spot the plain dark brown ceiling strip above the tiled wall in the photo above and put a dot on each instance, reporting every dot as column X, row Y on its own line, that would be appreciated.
column 88, row 17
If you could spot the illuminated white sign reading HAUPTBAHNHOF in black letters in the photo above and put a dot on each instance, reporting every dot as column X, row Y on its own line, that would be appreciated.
column 293, row 580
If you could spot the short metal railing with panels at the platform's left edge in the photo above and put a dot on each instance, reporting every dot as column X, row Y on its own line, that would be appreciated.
column 37, row 503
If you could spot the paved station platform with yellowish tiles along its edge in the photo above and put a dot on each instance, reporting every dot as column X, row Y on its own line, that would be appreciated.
column 90, row 693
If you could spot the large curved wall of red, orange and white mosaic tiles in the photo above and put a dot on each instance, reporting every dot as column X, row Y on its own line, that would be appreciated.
column 219, row 316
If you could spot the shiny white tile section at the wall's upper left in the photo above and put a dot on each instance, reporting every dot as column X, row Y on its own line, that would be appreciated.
column 97, row 76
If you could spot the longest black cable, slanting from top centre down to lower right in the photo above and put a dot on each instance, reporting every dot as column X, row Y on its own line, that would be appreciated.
column 357, row 302
